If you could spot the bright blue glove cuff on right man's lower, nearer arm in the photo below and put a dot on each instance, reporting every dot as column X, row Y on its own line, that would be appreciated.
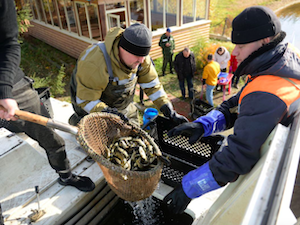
column 199, row 181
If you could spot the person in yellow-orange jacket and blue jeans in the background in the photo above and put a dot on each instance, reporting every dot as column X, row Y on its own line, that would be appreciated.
column 210, row 77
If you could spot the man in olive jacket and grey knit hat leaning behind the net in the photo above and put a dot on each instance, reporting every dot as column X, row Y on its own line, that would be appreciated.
column 106, row 75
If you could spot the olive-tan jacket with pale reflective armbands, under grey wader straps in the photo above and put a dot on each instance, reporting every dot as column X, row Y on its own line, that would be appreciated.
column 92, row 75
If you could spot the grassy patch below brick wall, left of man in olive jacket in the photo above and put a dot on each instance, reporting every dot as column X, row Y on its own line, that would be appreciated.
column 48, row 66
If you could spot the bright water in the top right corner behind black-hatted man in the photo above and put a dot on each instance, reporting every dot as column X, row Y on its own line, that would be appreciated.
column 290, row 23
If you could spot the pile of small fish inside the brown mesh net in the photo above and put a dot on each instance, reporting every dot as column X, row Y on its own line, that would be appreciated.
column 132, row 153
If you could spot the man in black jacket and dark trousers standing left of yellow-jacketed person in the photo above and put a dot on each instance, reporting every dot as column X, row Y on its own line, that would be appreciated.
column 185, row 68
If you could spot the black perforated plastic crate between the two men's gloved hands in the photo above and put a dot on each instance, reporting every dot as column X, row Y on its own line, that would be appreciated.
column 184, row 157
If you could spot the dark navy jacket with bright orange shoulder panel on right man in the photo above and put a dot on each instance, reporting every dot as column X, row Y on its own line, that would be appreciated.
column 266, row 100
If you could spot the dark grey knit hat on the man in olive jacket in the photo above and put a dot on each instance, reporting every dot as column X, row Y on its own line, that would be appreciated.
column 137, row 39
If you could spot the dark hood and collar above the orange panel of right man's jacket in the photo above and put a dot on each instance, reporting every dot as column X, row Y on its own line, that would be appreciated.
column 276, row 58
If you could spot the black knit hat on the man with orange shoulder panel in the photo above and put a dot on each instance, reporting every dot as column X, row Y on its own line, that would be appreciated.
column 253, row 24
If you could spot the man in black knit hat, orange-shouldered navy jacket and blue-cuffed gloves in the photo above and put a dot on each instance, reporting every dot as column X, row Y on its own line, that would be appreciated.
column 270, row 96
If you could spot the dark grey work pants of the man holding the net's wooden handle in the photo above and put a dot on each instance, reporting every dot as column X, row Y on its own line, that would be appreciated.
column 28, row 100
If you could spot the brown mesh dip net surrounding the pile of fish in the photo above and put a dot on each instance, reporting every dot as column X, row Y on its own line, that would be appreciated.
column 96, row 132
